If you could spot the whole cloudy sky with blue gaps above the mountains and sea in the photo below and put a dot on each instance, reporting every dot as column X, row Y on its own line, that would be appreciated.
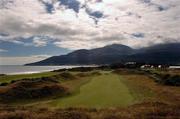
column 32, row 30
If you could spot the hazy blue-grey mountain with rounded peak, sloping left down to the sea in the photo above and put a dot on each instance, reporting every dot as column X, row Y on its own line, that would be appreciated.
column 105, row 55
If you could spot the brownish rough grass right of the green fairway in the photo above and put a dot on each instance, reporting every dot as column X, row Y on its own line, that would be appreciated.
column 149, row 89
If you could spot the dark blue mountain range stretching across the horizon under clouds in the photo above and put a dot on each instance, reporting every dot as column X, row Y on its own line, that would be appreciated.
column 117, row 53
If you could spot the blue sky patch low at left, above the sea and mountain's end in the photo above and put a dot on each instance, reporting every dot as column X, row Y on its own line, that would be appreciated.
column 22, row 50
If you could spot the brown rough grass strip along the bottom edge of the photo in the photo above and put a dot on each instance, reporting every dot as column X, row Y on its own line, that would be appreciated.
column 146, row 110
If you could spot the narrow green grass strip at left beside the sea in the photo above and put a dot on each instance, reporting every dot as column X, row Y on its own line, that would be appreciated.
column 8, row 78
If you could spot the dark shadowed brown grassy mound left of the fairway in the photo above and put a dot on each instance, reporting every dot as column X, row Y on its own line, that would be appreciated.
column 27, row 89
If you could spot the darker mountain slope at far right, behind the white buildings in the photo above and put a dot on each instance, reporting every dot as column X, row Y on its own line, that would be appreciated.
column 158, row 54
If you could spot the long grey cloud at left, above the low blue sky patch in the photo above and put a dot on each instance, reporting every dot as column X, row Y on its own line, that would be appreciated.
column 18, row 28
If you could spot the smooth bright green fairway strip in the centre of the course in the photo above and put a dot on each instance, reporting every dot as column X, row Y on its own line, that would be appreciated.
column 102, row 91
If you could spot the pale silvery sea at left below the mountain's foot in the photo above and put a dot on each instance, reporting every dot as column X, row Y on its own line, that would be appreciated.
column 18, row 69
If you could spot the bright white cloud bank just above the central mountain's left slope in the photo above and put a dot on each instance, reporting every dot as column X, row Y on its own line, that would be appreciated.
column 90, row 43
